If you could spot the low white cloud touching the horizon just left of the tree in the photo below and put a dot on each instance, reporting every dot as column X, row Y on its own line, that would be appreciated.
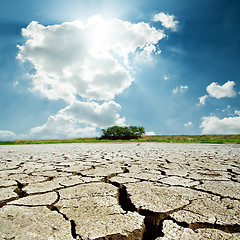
column 61, row 127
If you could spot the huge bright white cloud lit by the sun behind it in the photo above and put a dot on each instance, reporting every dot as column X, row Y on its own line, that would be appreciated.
column 76, row 58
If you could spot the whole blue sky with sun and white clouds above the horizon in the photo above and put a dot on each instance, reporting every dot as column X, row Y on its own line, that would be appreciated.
column 71, row 68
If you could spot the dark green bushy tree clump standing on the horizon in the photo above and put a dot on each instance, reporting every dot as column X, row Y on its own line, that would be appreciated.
column 125, row 133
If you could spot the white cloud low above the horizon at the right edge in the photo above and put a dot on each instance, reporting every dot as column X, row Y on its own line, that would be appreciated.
column 214, row 125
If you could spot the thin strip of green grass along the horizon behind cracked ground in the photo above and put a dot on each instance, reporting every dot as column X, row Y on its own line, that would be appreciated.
column 156, row 138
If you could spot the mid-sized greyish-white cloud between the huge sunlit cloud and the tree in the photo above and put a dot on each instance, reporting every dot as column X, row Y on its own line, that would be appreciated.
column 93, row 113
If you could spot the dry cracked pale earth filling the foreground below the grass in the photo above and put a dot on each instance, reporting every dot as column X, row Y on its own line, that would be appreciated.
column 119, row 191
